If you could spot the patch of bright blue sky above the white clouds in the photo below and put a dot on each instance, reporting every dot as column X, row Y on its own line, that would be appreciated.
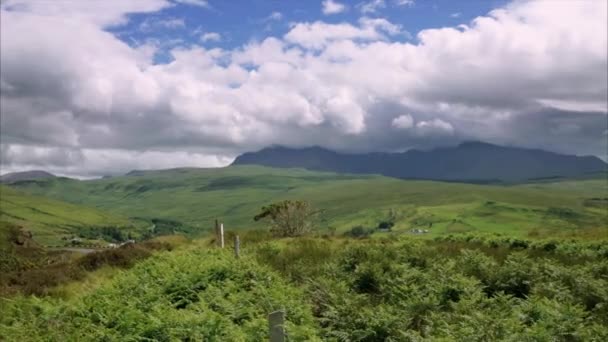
column 240, row 22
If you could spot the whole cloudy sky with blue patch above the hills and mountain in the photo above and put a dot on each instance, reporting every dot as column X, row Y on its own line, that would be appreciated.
column 102, row 87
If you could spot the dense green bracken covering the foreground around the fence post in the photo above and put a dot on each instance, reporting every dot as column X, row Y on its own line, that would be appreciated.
column 454, row 288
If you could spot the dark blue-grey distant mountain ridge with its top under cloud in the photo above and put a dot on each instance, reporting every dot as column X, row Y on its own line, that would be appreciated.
column 470, row 161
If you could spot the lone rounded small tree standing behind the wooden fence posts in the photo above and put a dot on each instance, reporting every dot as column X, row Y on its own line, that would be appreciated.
column 288, row 218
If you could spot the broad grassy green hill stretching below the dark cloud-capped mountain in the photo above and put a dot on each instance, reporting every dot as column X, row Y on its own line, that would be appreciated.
column 195, row 197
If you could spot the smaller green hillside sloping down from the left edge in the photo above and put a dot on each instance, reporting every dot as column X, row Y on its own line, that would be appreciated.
column 50, row 220
